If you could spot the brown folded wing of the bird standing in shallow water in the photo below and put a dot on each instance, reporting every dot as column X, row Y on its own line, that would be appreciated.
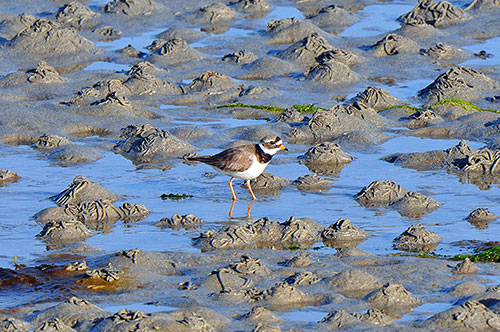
column 236, row 159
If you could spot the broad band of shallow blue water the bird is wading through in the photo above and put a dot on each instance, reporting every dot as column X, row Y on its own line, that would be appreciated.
column 211, row 199
